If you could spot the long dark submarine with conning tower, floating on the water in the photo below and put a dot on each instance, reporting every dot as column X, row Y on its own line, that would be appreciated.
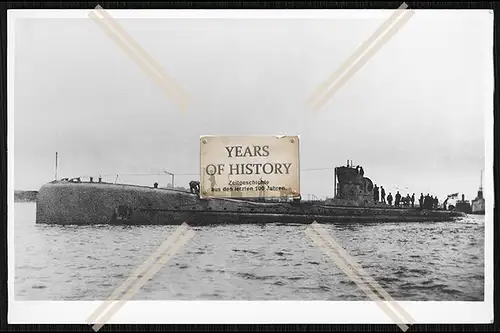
column 78, row 202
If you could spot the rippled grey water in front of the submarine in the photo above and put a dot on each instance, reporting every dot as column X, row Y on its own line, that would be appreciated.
column 412, row 261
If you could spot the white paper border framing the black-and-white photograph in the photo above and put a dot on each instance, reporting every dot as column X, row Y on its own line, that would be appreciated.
column 247, row 312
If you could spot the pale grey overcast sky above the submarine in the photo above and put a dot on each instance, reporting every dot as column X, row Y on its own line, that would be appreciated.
column 413, row 116
